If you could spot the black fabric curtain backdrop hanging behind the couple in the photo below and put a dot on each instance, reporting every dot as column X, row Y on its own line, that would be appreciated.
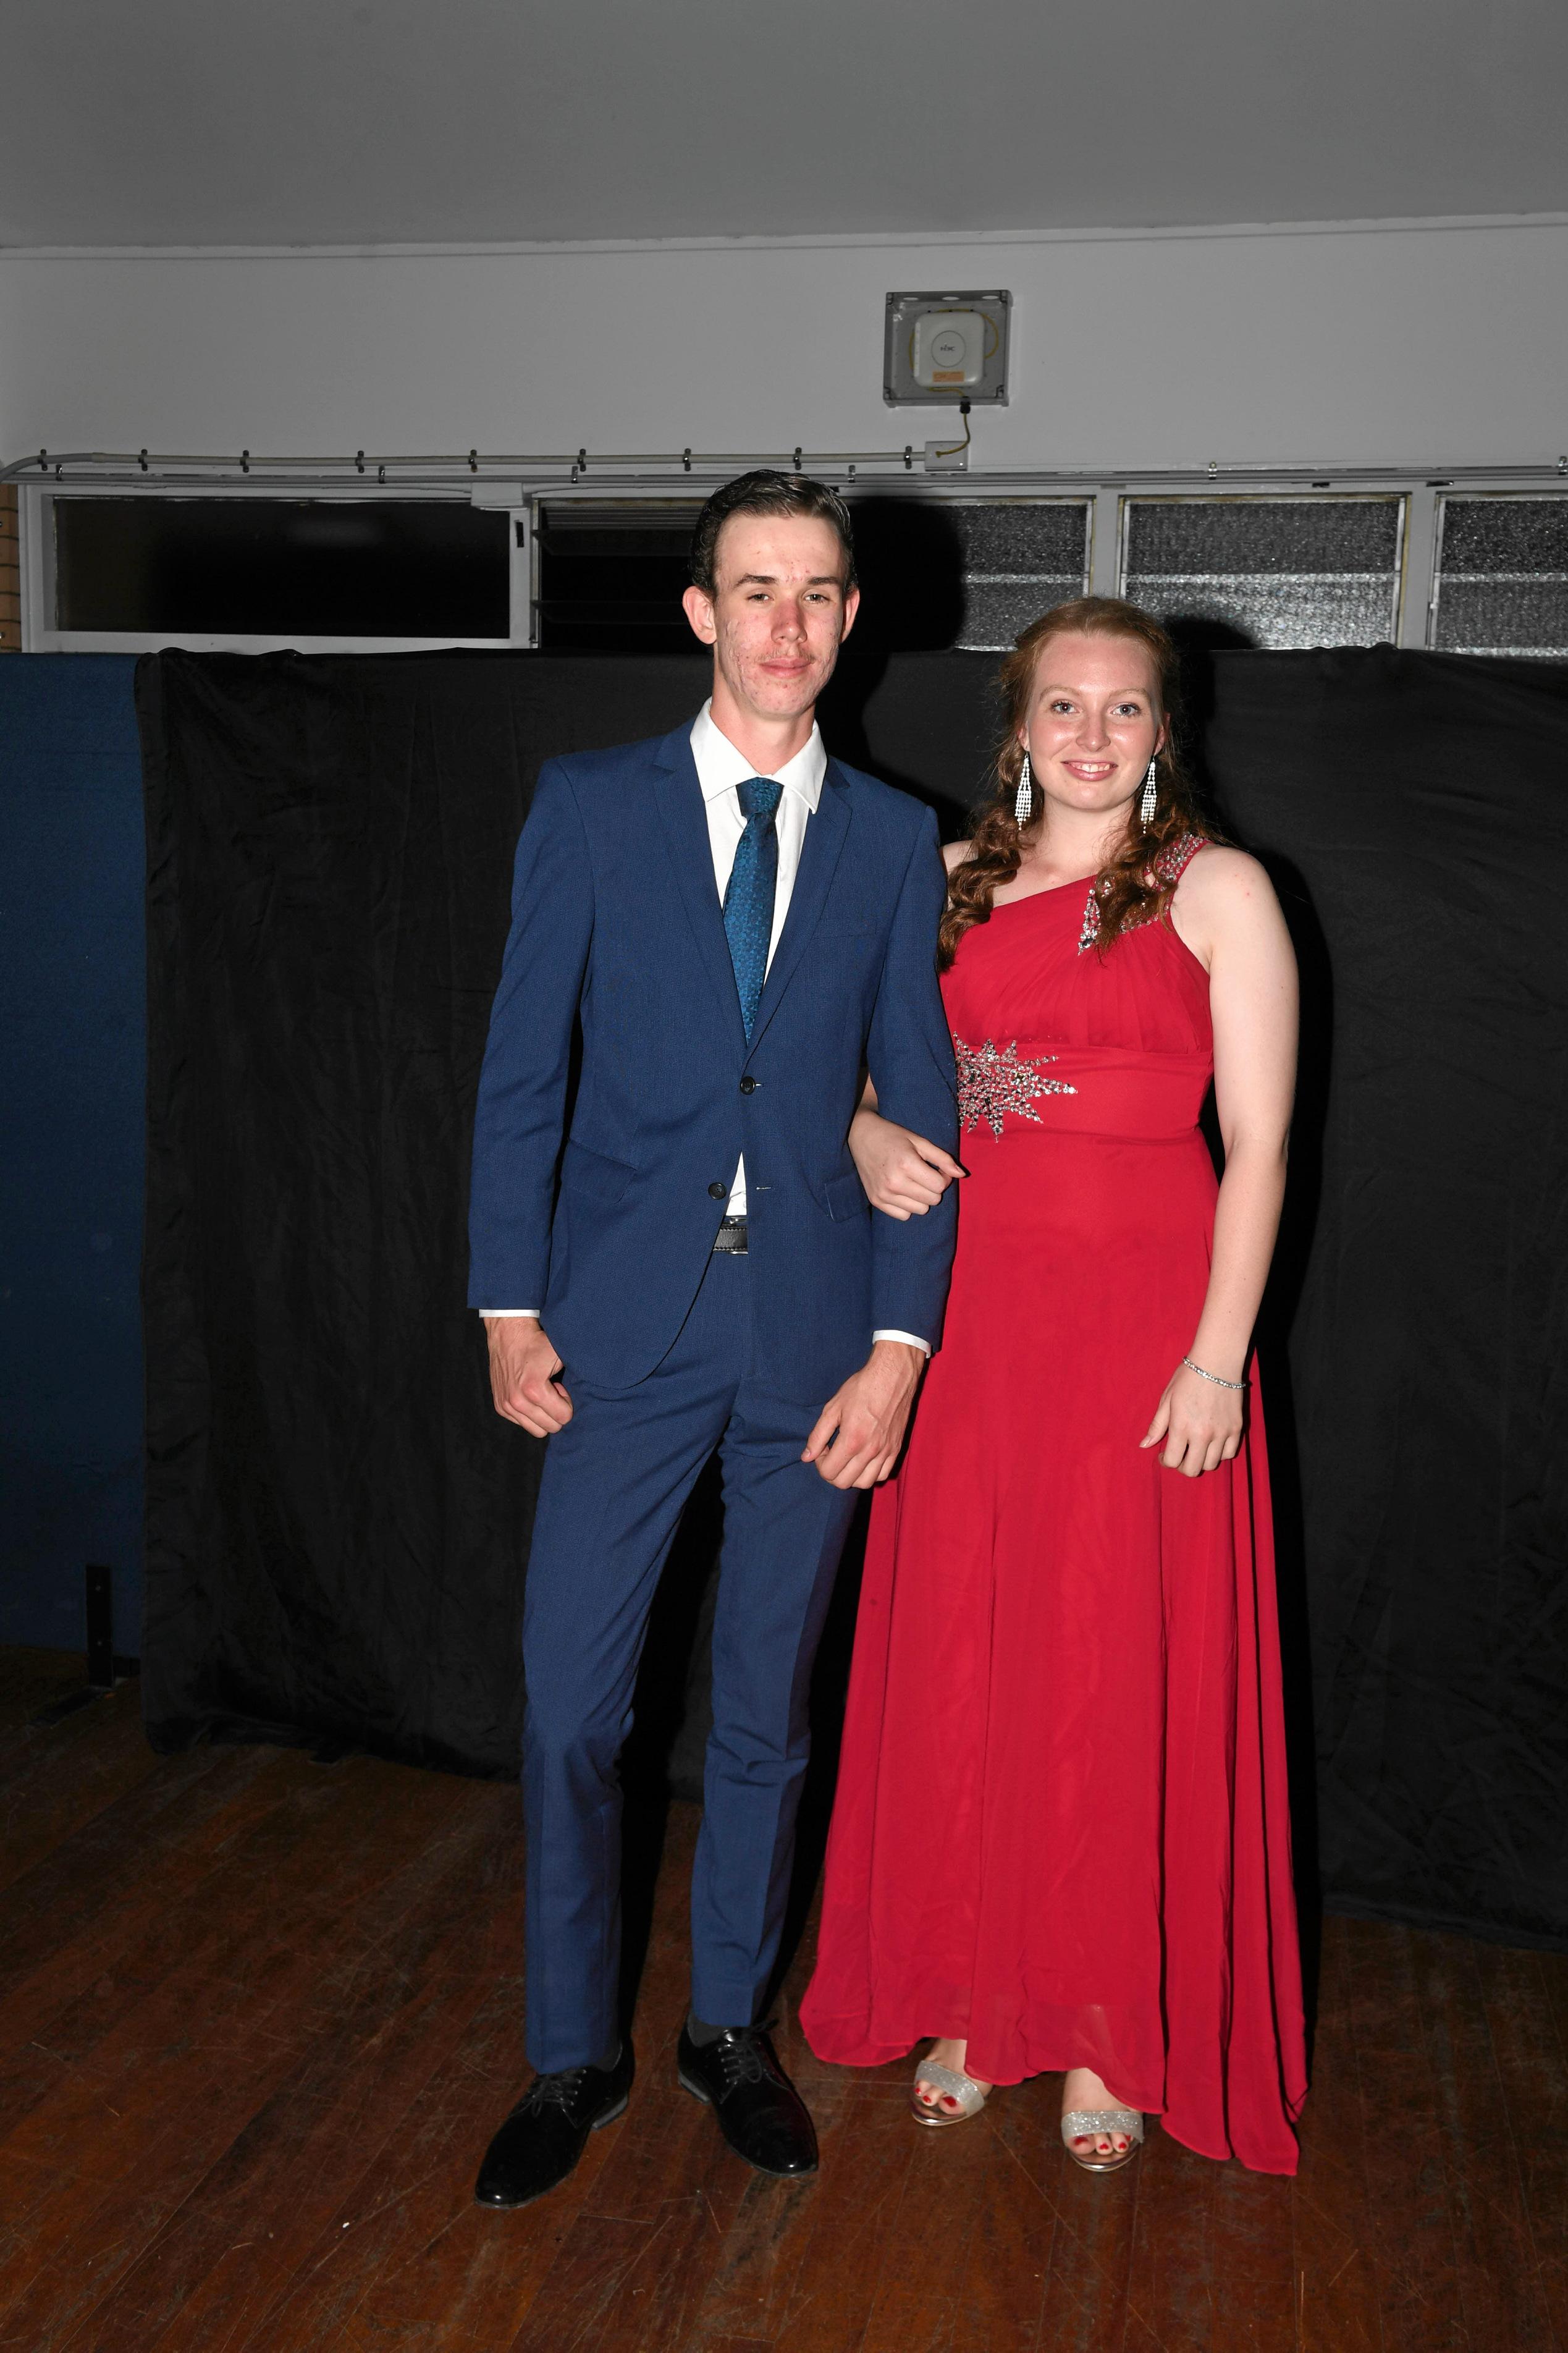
column 338, row 1524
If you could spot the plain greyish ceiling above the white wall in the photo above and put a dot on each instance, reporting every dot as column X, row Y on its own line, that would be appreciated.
column 505, row 121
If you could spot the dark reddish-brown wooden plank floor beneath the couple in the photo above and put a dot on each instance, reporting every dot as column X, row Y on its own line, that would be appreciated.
column 258, row 2020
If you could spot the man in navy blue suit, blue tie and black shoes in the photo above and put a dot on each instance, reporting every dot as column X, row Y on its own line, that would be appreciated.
column 675, row 1258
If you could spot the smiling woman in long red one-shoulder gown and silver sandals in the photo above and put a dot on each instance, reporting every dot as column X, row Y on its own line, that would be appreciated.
column 1061, row 1839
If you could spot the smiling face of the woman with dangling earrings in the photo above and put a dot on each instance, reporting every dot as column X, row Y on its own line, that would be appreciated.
column 1094, row 721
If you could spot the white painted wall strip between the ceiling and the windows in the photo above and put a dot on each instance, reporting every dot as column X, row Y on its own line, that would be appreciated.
column 1388, row 347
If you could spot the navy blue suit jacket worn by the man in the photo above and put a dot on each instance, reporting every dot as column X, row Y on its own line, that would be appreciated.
column 606, row 1225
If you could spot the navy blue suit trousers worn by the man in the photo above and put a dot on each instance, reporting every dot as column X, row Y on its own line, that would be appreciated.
column 613, row 1491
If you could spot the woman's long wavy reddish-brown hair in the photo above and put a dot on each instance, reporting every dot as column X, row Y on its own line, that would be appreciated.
column 1131, row 886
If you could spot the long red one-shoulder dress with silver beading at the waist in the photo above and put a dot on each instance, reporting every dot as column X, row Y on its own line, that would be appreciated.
column 1061, row 1825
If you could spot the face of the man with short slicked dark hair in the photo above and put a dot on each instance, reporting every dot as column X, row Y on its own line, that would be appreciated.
column 778, row 613
